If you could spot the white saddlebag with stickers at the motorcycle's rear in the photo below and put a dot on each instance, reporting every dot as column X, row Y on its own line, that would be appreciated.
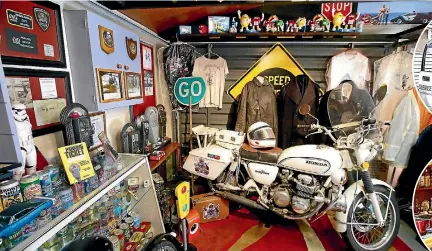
column 208, row 162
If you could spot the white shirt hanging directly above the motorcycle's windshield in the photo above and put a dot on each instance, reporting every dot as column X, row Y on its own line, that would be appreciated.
column 348, row 65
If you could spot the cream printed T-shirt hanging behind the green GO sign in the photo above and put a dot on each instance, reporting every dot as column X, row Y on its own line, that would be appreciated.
column 213, row 71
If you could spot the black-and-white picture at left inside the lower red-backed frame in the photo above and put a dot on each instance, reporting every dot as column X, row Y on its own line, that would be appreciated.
column 19, row 91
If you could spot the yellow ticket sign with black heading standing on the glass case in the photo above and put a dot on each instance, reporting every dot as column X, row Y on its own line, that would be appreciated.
column 76, row 162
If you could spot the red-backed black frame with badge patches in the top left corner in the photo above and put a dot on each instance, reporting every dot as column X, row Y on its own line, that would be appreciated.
column 31, row 33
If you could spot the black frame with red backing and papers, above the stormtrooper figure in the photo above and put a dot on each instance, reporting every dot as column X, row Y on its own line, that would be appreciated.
column 44, row 93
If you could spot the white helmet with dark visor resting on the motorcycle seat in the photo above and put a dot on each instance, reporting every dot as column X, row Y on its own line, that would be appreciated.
column 261, row 135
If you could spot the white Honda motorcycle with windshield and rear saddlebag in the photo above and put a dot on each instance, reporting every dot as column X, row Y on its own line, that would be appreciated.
column 304, row 182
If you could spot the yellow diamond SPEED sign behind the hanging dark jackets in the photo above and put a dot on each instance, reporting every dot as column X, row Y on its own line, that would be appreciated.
column 277, row 65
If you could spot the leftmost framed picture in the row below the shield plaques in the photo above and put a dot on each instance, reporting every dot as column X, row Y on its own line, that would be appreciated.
column 110, row 85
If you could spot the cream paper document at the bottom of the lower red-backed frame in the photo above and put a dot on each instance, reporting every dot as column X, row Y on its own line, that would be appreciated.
column 48, row 111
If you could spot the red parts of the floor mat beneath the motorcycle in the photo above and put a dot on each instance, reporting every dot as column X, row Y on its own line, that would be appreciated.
column 221, row 235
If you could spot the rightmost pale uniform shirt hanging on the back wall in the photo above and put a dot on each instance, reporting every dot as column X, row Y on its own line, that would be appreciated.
column 395, row 71
